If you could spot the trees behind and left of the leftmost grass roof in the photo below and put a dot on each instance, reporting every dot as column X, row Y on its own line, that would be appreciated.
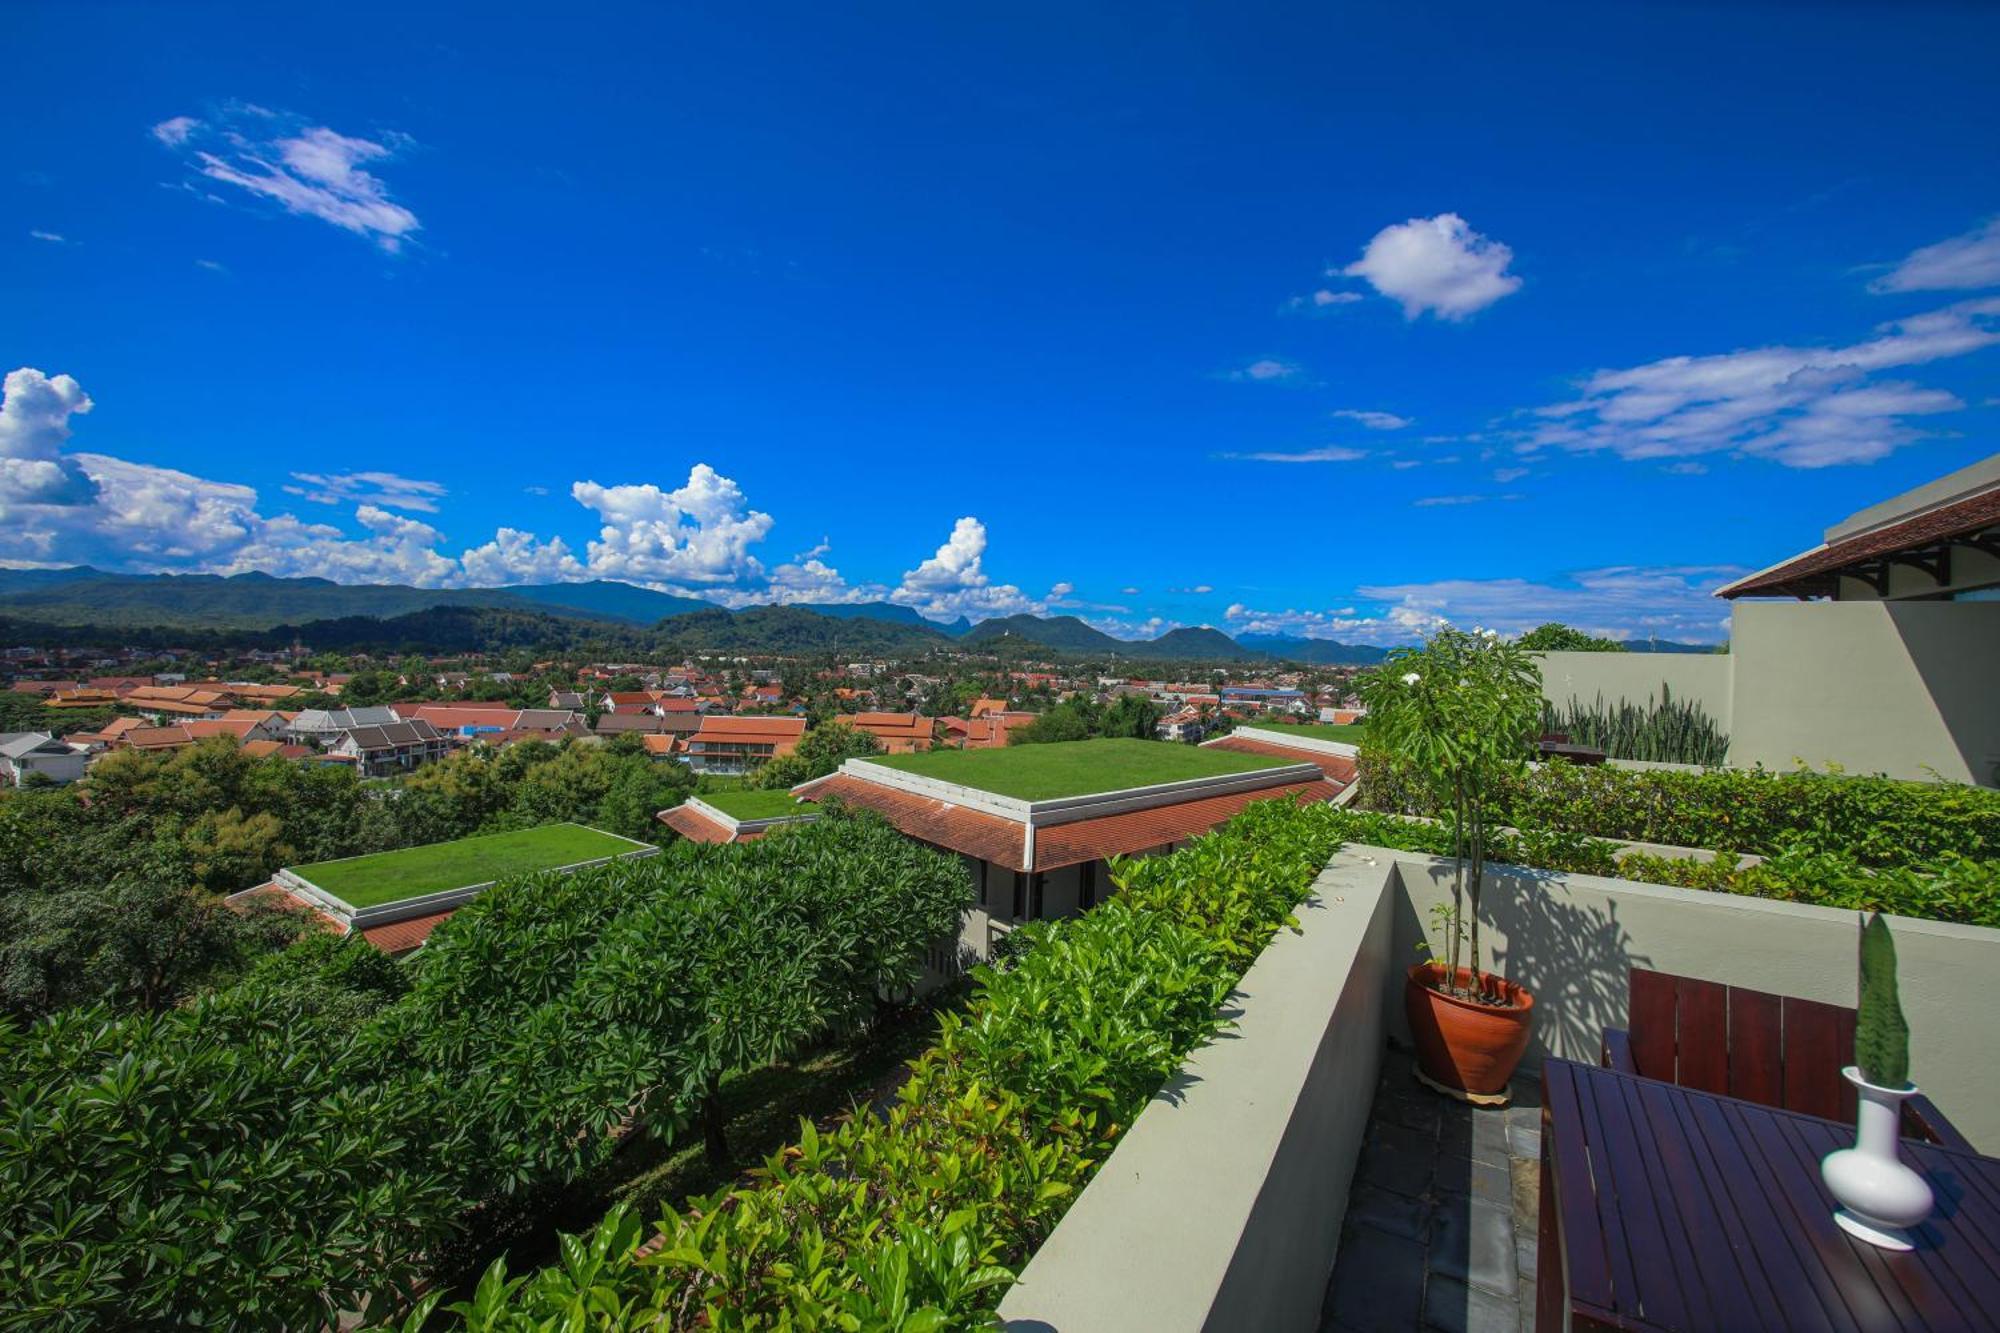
column 109, row 890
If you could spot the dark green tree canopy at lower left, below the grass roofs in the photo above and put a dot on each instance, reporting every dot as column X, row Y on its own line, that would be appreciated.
column 313, row 1138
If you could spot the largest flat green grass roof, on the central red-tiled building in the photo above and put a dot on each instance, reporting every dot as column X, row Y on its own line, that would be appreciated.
column 1073, row 768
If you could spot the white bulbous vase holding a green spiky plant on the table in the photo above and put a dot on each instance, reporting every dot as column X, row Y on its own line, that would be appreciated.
column 1881, row 1198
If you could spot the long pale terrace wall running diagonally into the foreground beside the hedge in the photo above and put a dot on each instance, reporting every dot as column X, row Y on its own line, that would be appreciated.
column 1223, row 1204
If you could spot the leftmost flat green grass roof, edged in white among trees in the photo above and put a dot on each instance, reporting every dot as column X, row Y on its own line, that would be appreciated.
column 437, row 868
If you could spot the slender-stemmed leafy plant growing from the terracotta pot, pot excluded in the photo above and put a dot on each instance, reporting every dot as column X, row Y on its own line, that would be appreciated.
column 1461, row 714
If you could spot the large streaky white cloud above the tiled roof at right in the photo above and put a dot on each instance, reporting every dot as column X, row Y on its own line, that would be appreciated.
column 1799, row 407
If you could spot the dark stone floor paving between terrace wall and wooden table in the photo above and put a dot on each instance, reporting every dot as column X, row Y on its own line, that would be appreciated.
column 1441, row 1220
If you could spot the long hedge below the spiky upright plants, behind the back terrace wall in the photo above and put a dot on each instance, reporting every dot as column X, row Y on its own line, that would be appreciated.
column 1877, row 822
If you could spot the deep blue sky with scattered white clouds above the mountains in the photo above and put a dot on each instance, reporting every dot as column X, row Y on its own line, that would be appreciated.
column 1301, row 319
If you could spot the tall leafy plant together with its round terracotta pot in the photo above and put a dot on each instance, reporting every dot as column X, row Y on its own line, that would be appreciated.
column 1461, row 716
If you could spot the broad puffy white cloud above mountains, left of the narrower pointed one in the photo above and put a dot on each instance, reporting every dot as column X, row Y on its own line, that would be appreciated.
column 695, row 535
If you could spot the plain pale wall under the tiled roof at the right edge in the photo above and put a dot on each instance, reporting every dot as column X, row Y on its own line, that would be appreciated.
column 1877, row 688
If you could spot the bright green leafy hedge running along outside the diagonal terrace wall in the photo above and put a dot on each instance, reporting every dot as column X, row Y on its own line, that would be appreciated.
column 921, row 1220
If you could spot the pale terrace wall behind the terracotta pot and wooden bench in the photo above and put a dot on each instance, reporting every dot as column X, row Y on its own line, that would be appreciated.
column 1575, row 938
